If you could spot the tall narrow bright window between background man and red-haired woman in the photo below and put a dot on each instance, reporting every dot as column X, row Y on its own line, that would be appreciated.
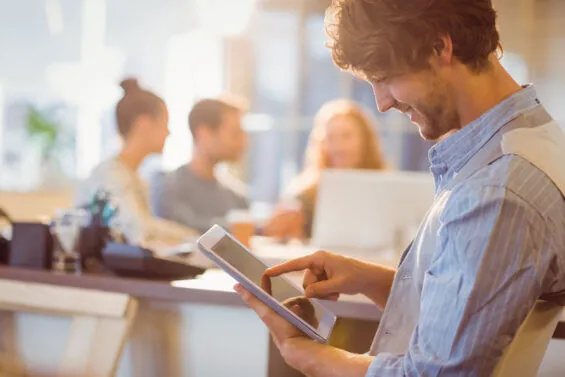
column 275, row 62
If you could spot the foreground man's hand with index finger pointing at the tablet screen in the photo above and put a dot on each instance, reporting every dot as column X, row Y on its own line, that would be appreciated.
column 327, row 275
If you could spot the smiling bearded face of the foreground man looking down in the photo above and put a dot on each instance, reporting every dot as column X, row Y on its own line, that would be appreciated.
column 427, row 97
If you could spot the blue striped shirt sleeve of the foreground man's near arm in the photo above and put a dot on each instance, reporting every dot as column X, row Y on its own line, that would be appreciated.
column 485, row 277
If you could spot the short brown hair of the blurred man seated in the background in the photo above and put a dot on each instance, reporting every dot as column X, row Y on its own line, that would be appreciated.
column 209, row 113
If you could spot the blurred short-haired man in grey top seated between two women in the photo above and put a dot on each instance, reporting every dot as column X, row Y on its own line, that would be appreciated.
column 192, row 195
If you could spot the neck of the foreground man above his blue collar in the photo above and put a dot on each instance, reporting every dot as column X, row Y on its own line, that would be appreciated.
column 484, row 91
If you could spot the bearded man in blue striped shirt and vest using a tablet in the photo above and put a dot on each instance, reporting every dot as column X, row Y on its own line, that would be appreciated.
column 493, row 242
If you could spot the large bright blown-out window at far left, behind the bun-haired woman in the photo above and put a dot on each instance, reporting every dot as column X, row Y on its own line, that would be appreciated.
column 70, row 55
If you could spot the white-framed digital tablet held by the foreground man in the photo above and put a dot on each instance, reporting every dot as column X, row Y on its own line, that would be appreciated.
column 309, row 315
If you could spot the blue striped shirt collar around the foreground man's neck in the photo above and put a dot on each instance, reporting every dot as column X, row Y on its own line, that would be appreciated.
column 448, row 156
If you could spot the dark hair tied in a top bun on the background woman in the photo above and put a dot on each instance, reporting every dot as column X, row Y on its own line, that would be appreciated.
column 135, row 103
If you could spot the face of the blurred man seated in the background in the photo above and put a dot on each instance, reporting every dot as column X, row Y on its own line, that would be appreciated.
column 229, row 140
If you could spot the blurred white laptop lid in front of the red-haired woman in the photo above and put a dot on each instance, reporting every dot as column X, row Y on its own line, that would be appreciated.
column 360, row 209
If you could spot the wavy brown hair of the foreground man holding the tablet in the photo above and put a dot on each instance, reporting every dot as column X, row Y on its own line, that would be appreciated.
column 372, row 37
